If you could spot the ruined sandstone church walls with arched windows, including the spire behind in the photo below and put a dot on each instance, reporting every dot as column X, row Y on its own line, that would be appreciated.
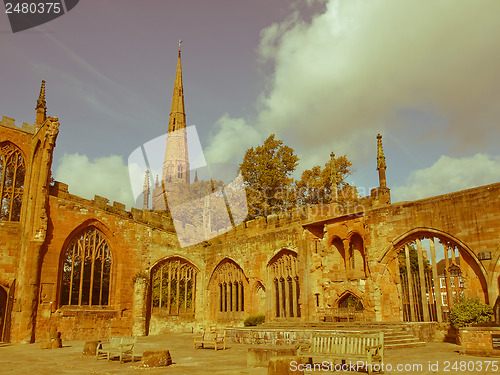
column 91, row 269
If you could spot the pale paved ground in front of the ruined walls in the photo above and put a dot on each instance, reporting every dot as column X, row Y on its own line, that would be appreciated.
column 434, row 358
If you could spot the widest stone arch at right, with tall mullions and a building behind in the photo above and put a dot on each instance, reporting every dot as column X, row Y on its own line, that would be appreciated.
column 431, row 269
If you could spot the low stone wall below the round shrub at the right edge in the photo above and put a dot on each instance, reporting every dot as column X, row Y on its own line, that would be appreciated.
column 478, row 340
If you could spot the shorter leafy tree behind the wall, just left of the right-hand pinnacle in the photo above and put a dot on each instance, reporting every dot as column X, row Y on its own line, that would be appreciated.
column 314, row 186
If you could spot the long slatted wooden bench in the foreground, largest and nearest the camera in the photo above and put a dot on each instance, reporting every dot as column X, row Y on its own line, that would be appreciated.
column 332, row 346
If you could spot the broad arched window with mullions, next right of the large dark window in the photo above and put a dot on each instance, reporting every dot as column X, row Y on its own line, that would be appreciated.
column 173, row 286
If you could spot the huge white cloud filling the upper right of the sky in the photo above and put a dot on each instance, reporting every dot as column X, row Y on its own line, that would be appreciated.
column 344, row 77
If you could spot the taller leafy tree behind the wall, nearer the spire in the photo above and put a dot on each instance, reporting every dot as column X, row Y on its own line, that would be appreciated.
column 267, row 170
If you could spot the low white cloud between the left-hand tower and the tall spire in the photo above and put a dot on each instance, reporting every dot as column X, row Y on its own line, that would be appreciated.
column 105, row 176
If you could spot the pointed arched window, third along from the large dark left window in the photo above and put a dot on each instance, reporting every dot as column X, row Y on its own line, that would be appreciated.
column 228, row 289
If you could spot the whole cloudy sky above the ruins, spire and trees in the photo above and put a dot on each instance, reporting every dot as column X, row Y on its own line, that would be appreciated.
column 323, row 76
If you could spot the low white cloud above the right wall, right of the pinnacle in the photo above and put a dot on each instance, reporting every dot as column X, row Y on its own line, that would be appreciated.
column 448, row 175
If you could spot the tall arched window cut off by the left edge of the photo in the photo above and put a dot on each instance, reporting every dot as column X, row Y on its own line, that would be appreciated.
column 12, row 171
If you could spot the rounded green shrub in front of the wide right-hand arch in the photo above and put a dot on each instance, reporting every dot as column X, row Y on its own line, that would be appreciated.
column 470, row 311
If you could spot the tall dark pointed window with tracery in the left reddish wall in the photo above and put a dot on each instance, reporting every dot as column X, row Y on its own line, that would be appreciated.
column 86, row 270
